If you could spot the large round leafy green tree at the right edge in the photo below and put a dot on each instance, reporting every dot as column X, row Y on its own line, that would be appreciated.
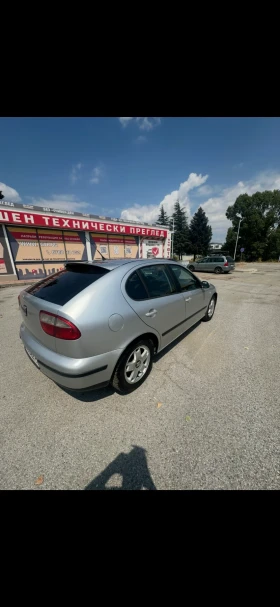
column 261, row 219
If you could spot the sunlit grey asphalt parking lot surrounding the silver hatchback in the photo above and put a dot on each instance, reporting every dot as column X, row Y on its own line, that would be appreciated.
column 206, row 418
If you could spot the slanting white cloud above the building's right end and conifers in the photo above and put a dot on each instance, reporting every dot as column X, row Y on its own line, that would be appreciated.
column 149, row 213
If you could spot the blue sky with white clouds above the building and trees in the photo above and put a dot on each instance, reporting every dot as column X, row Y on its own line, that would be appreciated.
column 127, row 167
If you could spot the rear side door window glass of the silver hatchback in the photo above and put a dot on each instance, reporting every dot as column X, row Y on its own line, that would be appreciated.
column 157, row 281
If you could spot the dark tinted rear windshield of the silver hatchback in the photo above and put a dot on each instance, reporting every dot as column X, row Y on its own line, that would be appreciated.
column 64, row 285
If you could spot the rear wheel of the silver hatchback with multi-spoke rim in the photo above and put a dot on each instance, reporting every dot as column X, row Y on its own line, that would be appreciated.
column 122, row 379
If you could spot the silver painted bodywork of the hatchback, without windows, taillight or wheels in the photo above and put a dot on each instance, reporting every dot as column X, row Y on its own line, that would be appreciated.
column 109, row 321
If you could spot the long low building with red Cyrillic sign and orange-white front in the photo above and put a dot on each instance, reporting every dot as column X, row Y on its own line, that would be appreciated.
column 36, row 242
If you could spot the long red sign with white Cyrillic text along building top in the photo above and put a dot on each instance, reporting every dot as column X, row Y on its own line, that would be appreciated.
column 48, row 221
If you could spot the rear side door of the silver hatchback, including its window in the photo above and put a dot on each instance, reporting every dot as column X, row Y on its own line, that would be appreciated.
column 153, row 294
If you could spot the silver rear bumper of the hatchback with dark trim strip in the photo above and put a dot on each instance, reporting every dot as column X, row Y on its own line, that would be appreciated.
column 72, row 373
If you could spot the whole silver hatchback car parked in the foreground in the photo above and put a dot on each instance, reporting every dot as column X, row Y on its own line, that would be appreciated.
column 97, row 323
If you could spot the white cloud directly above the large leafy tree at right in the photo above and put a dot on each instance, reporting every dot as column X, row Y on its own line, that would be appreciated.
column 216, row 207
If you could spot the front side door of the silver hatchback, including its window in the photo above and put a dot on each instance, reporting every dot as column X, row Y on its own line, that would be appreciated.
column 194, row 295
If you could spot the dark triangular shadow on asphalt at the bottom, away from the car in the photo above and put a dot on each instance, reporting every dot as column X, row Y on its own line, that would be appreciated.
column 133, row 469
